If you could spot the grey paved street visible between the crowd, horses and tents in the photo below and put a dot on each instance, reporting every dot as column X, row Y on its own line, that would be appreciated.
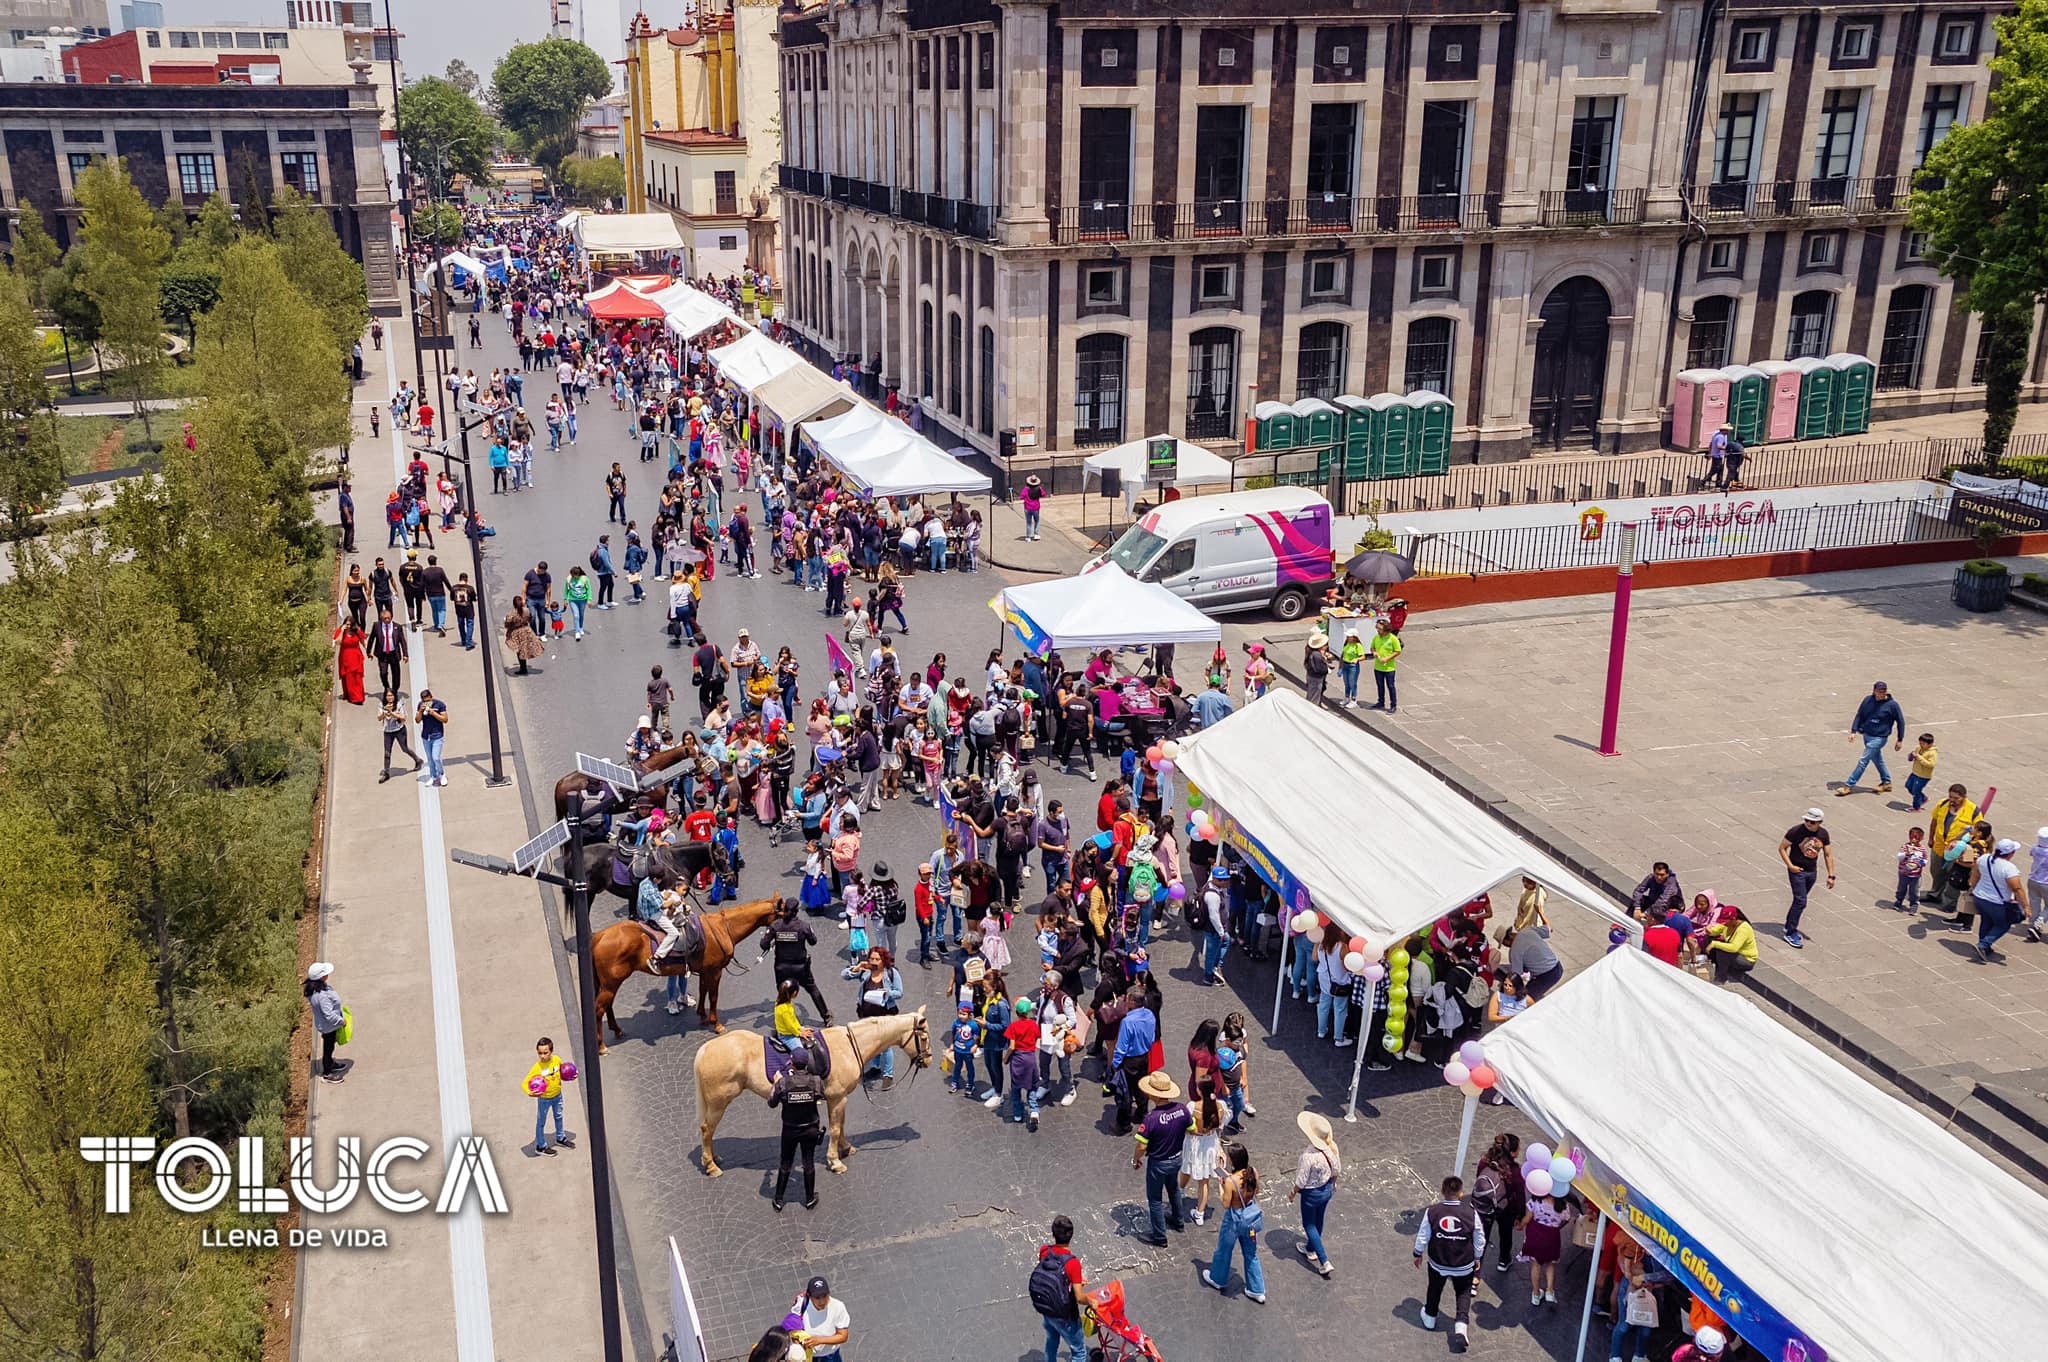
column 933, row 1230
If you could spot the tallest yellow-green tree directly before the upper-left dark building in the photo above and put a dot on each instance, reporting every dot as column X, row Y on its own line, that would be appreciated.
column 122, row 253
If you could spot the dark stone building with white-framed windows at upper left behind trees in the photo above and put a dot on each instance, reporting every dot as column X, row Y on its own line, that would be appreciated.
column 183, row 144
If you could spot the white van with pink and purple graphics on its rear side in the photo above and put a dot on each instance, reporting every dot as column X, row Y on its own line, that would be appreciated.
column 1234, row 552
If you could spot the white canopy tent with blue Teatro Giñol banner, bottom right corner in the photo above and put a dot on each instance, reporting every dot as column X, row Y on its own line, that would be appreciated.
column 1830, row 1209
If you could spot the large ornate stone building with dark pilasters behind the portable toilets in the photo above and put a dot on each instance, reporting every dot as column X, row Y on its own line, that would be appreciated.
column 1084, row 224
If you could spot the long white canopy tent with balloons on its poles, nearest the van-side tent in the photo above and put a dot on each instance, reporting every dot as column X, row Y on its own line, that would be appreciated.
column 1297, row 790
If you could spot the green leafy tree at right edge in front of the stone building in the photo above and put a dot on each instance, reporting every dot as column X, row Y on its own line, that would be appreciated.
column 1983, row 204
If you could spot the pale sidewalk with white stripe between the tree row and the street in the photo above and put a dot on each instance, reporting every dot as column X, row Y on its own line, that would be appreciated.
column 452, row 978
